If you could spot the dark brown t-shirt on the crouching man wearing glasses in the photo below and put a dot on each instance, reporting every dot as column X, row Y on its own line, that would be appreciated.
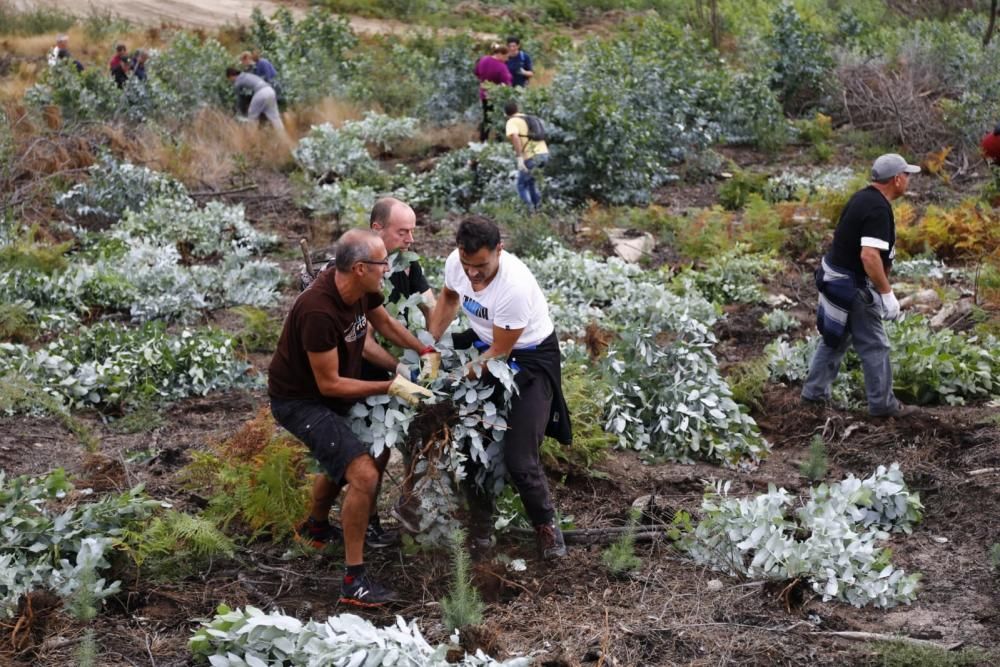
column 320, row 321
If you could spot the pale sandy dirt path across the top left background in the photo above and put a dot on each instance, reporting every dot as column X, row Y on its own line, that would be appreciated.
column 211, row 13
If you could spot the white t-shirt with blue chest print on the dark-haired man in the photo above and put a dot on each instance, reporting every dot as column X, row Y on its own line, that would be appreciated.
column 512, row 300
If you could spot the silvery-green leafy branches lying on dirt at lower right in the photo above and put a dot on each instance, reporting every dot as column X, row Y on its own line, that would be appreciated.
column 831, row 539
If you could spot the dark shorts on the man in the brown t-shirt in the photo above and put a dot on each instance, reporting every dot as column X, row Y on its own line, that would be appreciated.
column 327, row 435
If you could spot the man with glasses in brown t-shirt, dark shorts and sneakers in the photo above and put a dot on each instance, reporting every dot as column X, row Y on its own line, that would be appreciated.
column 313, row 380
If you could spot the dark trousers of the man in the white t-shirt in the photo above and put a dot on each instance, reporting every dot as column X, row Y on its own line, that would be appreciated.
column 527, row 419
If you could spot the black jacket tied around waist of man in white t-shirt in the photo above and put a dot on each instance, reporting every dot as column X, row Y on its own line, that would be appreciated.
column 540, row 361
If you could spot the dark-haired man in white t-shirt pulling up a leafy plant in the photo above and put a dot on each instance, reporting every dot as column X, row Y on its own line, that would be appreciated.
column 510, row 319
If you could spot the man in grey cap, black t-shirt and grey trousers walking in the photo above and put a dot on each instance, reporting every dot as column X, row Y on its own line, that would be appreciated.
column 855, row 294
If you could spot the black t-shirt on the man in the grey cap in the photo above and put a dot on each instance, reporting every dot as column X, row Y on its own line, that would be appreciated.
column 866, row 221
